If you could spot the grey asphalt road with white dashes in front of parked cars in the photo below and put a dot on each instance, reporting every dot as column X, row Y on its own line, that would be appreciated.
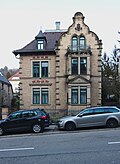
column 91, row 146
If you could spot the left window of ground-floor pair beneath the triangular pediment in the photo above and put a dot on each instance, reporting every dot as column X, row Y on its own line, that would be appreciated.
column 74, row 95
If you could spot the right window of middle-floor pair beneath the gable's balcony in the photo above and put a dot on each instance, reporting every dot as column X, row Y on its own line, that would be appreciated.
column 83, row 66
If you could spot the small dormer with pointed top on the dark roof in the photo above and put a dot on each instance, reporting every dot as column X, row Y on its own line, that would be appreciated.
column 41, row 41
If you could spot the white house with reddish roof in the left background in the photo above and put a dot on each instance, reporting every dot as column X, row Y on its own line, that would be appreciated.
column 15, row 80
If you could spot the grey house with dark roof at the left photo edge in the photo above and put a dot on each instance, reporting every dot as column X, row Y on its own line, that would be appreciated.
column 6, row 92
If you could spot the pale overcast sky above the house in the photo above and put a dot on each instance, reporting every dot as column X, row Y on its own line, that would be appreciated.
column 21, row 21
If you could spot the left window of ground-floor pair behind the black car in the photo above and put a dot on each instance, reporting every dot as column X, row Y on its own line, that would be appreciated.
column 36, row 96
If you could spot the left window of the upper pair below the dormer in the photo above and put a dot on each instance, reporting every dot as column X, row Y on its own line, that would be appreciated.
column 36, row 69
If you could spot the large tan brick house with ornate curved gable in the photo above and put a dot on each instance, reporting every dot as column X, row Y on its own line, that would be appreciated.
column 61, row 69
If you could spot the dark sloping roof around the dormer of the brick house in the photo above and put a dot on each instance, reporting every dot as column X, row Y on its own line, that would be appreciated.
column 50, row 37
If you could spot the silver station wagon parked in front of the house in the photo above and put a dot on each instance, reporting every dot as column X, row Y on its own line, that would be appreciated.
column 108, row 116
